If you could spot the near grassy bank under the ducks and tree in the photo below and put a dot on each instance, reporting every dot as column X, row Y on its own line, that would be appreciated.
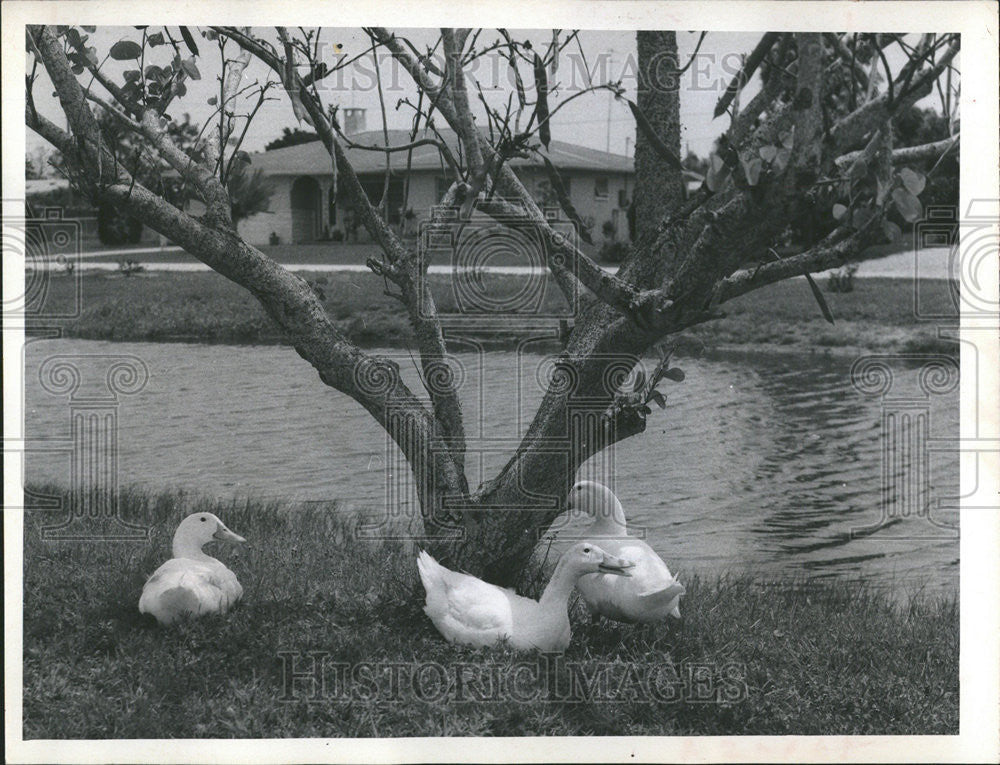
column 747, row 658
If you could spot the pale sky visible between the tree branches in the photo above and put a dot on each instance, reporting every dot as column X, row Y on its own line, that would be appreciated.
column 594, row 120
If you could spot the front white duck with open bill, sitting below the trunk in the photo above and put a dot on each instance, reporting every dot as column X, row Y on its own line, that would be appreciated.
column 469, row 611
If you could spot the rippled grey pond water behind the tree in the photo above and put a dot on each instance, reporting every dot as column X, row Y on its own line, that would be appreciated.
column 765, row 464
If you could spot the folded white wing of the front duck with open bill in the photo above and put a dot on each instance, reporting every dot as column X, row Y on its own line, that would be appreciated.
column 464, row 609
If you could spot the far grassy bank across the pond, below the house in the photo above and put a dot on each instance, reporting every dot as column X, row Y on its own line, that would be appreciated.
column 205, row 307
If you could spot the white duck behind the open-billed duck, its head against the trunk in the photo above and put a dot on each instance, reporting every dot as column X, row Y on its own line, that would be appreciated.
column 651, row 593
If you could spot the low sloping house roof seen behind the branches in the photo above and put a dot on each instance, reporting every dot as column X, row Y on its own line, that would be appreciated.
column 312, row 159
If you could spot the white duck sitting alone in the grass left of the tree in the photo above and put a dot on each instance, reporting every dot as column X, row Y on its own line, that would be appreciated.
column 192, row 583
